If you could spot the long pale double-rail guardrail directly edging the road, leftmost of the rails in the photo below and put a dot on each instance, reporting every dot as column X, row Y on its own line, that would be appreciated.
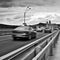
column 24, row 48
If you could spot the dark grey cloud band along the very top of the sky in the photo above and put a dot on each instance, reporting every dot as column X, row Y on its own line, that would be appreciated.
column 9, row 3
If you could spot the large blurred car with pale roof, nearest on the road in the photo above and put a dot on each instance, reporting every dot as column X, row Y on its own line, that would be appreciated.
column 23, row 32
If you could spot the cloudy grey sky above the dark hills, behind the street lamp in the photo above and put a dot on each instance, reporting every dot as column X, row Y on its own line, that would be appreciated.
column 12, row 11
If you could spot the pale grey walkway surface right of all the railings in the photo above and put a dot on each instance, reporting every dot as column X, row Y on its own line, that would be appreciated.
column 56, row 51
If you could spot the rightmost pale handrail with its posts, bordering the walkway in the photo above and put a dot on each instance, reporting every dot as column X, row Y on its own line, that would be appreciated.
column 47, row 50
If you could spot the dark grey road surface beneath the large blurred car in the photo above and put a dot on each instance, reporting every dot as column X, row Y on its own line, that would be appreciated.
column 9, row 45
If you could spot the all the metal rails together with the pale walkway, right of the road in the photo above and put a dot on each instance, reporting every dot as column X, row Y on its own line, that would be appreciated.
column 44, row 48
